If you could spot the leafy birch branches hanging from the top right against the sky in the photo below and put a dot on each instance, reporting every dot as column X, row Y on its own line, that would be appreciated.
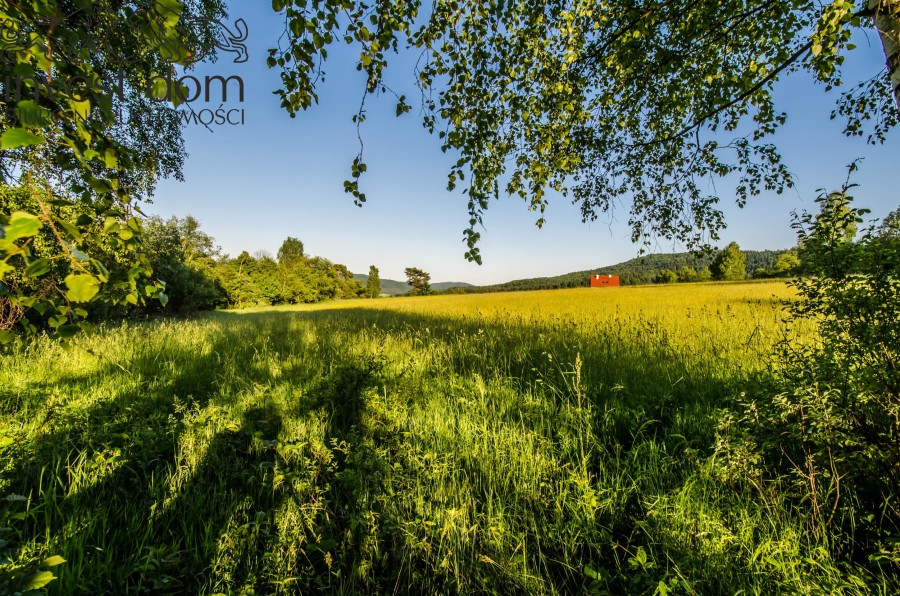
column 644, row 102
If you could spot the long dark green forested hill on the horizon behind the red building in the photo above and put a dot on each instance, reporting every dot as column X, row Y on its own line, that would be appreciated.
column 641, row 270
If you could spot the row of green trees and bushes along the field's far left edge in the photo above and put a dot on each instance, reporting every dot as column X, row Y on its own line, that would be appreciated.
column 197, row 276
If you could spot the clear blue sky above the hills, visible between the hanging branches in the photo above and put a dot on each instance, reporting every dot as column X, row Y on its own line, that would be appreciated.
column 253, row 185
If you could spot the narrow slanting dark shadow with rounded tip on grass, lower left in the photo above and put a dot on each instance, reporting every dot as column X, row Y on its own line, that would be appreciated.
column 218, row 523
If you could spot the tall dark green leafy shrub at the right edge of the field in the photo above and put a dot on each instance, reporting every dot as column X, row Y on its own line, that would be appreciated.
column 825, row 437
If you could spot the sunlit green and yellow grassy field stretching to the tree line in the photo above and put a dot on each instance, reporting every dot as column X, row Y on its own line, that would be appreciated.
column 543, row 442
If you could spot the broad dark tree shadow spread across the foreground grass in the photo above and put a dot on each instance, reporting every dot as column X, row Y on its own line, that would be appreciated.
column 136, row 528
